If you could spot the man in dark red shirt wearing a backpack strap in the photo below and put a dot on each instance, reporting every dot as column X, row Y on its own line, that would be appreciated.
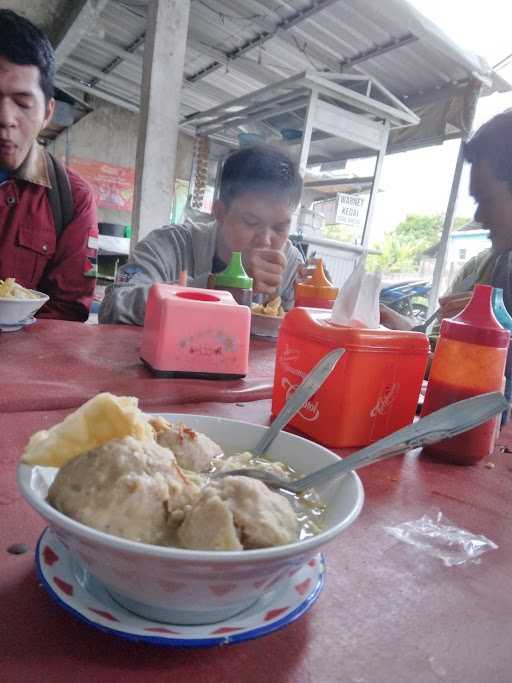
column 30, row 248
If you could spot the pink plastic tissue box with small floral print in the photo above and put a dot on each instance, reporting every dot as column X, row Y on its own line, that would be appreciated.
column 192, row 332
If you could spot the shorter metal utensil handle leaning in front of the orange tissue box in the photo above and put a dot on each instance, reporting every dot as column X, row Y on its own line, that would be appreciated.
column 311, row 383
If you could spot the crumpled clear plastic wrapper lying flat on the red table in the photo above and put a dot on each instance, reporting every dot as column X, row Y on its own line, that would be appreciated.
column 438, row 537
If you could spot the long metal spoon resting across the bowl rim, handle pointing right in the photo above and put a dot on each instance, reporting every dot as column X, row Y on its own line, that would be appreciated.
column 442, row 424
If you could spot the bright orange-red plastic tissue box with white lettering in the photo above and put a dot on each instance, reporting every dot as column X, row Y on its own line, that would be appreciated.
column 373, row 389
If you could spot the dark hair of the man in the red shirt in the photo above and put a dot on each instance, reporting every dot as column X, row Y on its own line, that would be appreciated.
column 23, row 43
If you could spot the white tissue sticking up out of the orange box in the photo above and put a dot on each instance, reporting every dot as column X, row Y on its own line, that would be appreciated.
column 357, row 303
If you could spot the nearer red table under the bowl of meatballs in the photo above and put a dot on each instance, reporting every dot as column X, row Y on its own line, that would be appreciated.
column 388, row 613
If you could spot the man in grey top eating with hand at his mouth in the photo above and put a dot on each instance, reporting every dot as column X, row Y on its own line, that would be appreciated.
column 259, row 190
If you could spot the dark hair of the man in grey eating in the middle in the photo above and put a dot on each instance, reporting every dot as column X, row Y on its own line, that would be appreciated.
column 260, row 168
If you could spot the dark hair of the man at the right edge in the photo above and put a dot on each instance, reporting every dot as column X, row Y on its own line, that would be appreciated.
column 493, row 142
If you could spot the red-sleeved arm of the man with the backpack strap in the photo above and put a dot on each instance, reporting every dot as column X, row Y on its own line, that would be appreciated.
column 64, row 279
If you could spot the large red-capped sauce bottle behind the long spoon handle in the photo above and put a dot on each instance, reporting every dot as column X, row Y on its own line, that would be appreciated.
column 469, row 360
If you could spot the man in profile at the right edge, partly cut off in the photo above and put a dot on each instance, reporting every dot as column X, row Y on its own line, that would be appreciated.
column 490, row 154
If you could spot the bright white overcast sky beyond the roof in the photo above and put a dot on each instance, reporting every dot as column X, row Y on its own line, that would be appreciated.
column 420, row 181
